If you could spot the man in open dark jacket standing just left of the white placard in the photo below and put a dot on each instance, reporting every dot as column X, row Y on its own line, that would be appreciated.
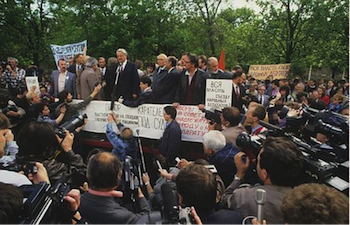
column 191, row 88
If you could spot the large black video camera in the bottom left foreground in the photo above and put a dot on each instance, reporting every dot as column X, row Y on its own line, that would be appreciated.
column 44, row 204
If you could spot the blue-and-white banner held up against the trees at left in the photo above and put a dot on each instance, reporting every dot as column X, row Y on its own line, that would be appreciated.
column 67, row 51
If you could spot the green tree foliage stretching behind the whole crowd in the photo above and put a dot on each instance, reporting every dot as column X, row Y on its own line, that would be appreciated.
column 303, row 32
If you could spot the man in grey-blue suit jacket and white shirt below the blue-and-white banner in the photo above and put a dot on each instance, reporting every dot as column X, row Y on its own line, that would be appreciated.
column 63, row 80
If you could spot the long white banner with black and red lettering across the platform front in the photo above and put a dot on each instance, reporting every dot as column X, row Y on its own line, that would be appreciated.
column 147, row 118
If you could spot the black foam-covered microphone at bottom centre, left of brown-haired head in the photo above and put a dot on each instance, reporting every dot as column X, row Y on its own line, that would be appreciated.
column 171, row 208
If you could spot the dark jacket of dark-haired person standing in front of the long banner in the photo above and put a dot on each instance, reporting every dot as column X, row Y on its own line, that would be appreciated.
column 170, row 143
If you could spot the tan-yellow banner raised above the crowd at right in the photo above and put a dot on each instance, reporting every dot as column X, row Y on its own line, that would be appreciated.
column 261, row 72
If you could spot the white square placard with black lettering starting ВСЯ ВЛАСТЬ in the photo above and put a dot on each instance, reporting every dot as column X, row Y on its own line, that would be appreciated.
column 218, row 94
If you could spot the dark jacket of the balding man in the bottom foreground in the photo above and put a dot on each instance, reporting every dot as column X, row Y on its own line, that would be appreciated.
column 105, row 210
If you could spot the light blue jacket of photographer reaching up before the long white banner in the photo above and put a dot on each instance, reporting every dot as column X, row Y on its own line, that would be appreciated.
column 121, row 148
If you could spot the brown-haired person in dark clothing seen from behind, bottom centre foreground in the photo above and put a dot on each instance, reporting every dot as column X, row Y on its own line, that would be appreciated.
column 196, row 186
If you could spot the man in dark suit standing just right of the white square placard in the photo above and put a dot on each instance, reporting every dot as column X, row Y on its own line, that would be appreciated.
column 238, row 91
